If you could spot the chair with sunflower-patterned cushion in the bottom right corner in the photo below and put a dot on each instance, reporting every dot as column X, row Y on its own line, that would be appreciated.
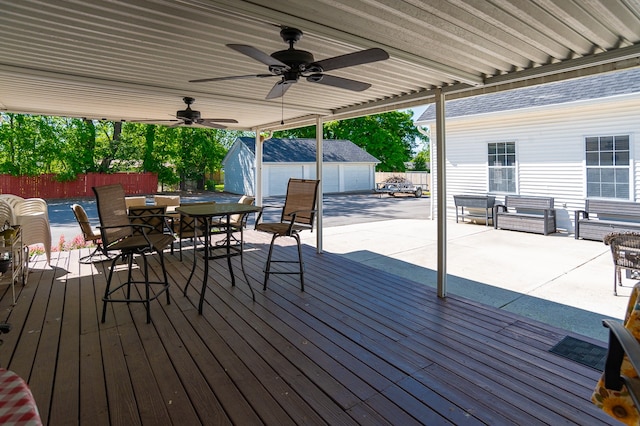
column 618, row 390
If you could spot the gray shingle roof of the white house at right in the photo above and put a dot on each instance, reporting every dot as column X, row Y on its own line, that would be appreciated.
column 606, row 85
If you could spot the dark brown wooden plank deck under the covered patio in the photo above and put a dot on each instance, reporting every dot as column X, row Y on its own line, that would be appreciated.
column 359, row 346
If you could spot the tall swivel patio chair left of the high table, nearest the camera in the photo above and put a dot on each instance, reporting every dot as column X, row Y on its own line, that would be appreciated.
column 119, row 233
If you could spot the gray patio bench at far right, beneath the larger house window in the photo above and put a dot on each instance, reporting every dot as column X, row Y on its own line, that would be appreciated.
column 602, row 217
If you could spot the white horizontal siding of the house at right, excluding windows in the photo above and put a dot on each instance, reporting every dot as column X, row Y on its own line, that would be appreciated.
column 549, row 149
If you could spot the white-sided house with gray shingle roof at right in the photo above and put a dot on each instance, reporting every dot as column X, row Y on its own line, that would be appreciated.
column 570, row 140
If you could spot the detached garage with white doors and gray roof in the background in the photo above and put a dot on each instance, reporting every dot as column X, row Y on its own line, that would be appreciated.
column 346, row 166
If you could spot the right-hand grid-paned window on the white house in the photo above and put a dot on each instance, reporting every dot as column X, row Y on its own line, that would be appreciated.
column 608, row 166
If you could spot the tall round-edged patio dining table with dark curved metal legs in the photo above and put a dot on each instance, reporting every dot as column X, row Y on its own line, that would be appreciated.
column 206, row 212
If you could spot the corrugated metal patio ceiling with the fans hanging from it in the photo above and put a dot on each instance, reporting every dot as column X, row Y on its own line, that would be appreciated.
column 132, row 59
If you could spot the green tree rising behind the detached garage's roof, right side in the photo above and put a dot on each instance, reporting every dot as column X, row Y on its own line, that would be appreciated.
column 390, row 137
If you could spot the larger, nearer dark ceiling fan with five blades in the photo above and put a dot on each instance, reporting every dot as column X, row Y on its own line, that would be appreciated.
column 291, row 64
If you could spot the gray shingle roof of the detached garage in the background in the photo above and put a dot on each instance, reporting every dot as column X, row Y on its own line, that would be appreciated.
column 304, row 151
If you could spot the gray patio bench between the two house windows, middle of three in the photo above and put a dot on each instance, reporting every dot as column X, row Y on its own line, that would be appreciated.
column 526, row 213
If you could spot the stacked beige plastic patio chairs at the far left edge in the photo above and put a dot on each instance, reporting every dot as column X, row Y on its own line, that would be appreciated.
column 32, row 214
